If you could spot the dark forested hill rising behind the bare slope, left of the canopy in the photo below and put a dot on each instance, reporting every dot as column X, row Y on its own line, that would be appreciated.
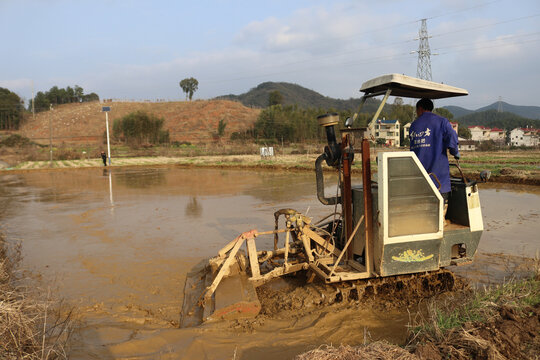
column 293, row 94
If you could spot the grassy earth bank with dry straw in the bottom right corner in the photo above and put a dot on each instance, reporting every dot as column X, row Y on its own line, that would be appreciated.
column 502, row 322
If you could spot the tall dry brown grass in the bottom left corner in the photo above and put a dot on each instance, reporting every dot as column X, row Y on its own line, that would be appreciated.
column 29, row 328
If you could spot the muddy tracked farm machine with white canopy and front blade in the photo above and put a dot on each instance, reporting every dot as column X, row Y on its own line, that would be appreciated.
column 392, row 227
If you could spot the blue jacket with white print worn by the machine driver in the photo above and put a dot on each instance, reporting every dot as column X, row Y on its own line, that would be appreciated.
column 430, row 135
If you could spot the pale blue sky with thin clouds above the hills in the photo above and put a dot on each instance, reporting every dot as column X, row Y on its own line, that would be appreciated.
column 141, row 49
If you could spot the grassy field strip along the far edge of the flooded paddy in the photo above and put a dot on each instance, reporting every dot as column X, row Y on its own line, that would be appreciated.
column 509, row 167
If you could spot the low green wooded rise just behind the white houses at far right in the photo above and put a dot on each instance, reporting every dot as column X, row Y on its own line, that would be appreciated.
column 492, row 118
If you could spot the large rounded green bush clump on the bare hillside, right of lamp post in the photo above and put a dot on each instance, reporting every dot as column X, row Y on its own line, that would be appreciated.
column 140, row 128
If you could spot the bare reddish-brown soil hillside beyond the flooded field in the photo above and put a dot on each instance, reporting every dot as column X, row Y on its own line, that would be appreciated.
column 193, row 122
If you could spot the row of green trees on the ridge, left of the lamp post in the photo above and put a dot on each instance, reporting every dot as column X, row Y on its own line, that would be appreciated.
column 56, row 96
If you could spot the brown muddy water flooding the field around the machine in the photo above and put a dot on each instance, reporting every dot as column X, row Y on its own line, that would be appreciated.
column 118, row 245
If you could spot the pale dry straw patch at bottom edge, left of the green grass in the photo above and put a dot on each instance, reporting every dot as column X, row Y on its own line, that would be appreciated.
column 378, row 350
